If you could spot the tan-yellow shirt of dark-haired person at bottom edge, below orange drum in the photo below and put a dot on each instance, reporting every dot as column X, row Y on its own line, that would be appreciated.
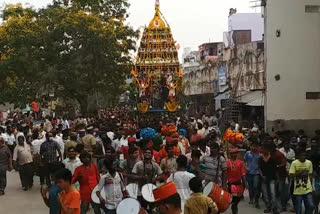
column 198, row 203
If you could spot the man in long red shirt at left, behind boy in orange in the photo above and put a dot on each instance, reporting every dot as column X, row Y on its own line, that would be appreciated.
column 88, row 177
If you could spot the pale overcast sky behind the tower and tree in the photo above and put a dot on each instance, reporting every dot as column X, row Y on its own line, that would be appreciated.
column 193, row 22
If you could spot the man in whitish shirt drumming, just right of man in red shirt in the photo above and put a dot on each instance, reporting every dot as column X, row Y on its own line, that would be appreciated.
column 113, row 186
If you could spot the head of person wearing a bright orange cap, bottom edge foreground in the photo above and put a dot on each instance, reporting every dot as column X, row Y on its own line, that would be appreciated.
column 168, row 199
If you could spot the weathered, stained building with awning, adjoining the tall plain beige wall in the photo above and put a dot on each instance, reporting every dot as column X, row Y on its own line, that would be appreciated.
column 244, row 98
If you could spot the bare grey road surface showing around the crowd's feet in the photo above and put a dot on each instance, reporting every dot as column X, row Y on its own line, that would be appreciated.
column 17, row 201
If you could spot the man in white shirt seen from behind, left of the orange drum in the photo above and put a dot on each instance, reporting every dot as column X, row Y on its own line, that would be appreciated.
column 181, row 179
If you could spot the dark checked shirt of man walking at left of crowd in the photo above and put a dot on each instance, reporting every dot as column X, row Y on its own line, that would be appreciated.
column 48, row 151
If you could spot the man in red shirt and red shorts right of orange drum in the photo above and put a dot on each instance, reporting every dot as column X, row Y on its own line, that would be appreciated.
column 236, row 178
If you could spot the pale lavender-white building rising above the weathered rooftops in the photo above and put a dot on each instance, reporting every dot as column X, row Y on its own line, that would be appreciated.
column 243, row 28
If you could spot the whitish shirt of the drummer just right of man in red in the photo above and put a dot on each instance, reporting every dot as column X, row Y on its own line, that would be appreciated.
column 113, row 188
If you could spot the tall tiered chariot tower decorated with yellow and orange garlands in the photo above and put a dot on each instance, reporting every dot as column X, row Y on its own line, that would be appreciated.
column 157, row 70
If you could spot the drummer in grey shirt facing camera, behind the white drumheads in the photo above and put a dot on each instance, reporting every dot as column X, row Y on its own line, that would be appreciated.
column 146, row 172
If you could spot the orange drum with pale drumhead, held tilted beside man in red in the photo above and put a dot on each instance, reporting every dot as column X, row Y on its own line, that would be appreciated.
column 221, row 197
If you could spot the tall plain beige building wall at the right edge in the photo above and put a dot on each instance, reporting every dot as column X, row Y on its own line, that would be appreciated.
column 292, row 48
